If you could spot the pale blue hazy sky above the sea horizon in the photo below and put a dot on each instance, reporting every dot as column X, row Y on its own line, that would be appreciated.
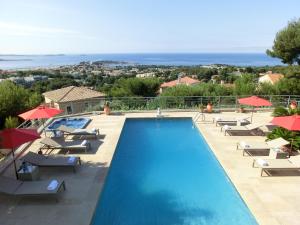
column 141, row 26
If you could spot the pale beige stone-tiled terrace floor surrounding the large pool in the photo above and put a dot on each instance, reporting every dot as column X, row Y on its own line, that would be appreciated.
column 272, row 200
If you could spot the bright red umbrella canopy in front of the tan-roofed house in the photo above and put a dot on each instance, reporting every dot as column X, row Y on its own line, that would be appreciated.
column 40, row 112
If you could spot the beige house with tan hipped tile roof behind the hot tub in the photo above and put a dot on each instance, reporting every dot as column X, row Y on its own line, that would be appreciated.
column 74, row 99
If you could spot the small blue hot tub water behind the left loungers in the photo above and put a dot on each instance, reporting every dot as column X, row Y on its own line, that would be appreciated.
column 77, row 123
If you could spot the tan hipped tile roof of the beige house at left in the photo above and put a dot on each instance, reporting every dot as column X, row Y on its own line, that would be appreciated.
column 72, row 93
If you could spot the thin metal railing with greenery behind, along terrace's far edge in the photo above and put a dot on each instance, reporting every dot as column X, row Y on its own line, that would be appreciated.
column 184, row 102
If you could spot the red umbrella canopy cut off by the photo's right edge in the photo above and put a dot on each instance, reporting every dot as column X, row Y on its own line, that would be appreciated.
column 288, row 122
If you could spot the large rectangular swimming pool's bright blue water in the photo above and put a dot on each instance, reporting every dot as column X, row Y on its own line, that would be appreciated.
column 164, row 173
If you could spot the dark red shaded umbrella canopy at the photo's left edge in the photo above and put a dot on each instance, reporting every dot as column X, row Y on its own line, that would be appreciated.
column 13, row 138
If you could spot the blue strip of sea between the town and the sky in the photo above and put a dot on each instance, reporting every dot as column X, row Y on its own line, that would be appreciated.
column 174, row 59
